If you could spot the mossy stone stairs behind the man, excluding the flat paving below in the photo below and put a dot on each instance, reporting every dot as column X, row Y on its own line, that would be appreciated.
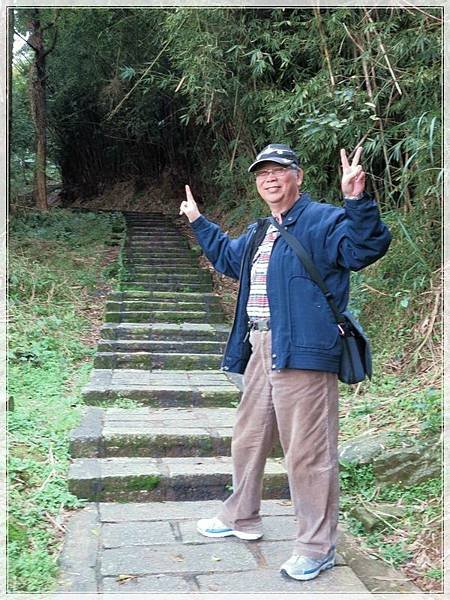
column 161, row 347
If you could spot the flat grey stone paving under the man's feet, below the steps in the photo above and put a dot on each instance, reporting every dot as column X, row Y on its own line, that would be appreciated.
column 154, row 547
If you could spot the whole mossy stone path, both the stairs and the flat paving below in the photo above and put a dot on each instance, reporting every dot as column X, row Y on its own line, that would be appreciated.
column 152, row 452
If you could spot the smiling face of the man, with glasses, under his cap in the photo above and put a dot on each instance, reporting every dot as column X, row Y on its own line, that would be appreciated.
column 278, row 186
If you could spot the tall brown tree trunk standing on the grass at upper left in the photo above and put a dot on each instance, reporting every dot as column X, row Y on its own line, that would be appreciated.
column 37, row 96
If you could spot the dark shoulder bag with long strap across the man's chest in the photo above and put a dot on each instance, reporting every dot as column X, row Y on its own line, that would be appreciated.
column 356, row 357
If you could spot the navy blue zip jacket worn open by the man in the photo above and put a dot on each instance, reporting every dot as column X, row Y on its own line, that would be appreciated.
column 304, row 331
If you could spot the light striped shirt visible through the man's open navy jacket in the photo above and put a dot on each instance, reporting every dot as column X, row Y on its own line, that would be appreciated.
column 258, row 303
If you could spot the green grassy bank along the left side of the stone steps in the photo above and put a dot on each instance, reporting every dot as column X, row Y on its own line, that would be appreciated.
column 56, row 264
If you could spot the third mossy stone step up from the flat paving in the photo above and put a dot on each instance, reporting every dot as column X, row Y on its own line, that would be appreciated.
column 161, row 388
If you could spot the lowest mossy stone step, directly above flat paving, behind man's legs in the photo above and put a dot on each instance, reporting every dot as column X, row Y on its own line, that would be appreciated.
column 142, row 479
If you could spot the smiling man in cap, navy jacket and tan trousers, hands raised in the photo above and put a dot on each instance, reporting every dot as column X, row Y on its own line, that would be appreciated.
column 286, row 341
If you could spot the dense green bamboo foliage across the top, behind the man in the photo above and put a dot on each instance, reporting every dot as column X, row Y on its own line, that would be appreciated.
column 135, row 91
